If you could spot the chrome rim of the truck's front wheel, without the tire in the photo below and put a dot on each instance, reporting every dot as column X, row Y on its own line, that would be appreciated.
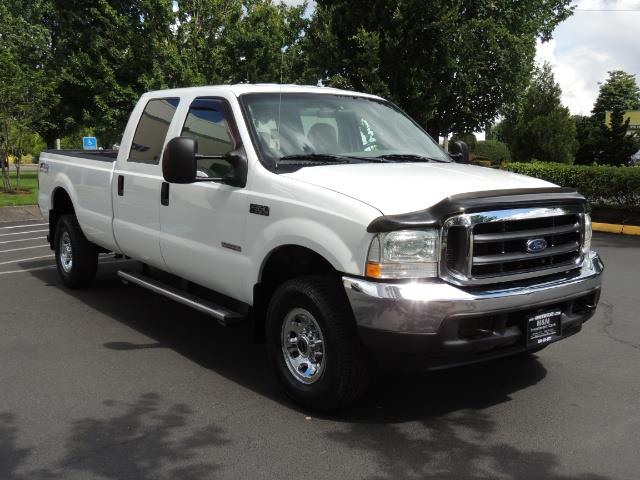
column 303, row 346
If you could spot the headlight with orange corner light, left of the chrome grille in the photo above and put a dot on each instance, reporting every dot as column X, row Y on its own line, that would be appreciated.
column 404, row 254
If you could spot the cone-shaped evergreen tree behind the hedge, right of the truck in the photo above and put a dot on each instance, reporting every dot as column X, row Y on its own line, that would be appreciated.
column 541, row 128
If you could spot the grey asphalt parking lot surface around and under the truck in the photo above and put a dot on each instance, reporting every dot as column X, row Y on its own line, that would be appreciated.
column 118, row 383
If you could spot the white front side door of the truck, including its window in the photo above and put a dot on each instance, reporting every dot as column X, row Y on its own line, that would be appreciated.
column 203, row 224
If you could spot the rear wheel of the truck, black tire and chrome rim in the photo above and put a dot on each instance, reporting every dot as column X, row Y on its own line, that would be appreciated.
column 76, row 257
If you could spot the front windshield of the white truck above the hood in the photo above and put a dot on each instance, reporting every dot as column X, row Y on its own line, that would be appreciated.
column 316, row 127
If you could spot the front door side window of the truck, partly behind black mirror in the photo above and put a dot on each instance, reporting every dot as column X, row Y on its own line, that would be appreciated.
column 210, row 122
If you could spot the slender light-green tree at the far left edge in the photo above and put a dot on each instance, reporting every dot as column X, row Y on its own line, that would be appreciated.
column 26, row 93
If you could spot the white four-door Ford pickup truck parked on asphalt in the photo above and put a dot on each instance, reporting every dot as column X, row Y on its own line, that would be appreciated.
column 331, row 221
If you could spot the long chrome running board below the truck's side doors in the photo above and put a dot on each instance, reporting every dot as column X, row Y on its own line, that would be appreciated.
column 223, row 315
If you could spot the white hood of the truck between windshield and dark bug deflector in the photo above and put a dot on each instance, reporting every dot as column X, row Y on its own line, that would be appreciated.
column 395, row 188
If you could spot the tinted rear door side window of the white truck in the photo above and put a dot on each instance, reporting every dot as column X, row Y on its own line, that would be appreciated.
column 152, row 130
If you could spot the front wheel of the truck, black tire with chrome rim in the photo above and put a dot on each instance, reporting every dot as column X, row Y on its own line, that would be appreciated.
column 314, row 344
